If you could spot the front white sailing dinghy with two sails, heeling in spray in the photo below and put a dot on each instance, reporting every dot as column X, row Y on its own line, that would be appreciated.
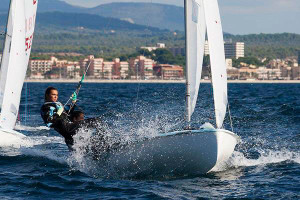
column 189, row 151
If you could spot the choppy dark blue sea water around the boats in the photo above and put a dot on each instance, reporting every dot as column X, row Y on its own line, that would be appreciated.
column 265, row 165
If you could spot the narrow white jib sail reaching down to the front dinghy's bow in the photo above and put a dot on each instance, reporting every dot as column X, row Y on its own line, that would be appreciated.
column 217, row 59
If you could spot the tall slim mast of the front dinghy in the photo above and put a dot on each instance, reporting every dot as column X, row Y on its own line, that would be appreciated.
column 188, row 91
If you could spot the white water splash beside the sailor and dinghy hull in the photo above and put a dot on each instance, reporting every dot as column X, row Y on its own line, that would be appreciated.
column 121, row 132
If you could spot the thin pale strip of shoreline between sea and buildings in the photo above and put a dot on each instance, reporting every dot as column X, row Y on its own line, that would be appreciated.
column 150, row 81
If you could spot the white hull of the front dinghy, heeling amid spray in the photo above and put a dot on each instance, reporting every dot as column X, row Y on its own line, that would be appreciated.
column 183, row 152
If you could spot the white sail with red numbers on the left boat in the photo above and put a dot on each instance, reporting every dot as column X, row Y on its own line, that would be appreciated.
column 16, row 53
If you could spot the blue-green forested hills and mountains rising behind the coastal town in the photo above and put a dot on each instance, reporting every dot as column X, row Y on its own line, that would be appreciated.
column 73, row 30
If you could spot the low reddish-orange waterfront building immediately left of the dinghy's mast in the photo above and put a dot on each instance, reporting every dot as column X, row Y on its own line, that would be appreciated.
column 168, row 72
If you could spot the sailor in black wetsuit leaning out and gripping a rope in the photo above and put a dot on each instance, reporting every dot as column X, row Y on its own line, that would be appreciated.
column 56, row 116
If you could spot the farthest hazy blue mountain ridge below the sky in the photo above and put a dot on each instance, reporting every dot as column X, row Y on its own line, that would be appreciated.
column 138, row 13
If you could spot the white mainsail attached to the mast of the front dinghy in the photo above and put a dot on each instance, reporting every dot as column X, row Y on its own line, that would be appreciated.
column 195, row 40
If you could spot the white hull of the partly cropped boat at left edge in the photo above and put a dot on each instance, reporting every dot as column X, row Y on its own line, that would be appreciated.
column 10, row 138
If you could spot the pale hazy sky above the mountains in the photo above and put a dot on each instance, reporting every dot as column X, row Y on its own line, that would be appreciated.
column 240, row 16
